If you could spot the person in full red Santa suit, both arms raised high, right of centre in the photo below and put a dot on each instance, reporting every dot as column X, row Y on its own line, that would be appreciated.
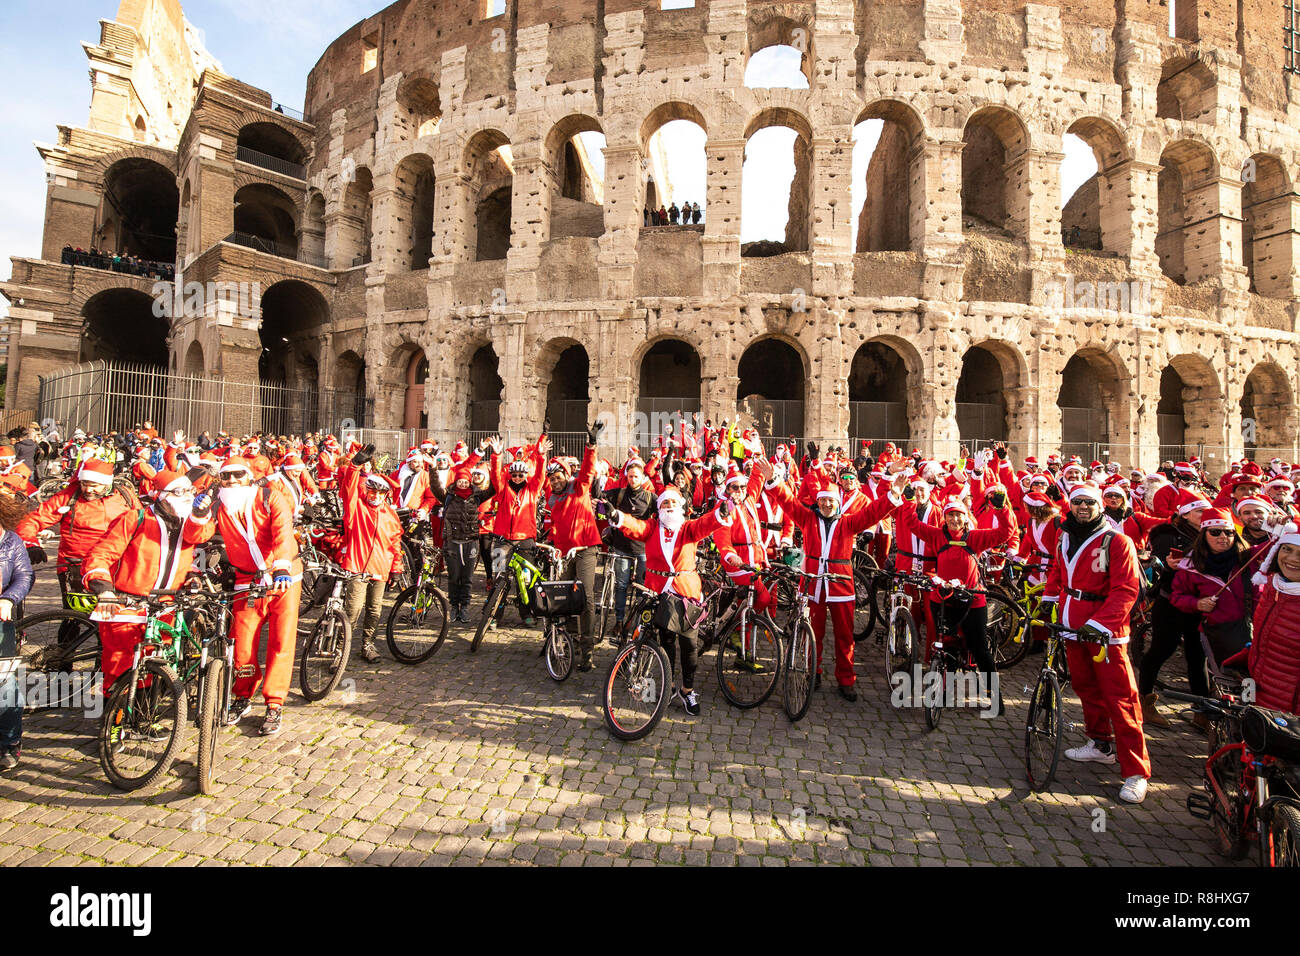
column 829, row 539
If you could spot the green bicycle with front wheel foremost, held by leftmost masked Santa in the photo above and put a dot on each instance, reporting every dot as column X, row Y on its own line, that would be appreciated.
column 149, row 703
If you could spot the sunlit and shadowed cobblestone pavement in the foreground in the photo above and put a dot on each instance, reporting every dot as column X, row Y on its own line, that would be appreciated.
column 484, row 760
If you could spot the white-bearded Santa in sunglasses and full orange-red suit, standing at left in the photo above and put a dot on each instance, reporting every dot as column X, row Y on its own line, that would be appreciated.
column 257, row 524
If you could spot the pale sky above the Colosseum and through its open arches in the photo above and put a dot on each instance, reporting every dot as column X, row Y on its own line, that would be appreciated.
column 274, row 45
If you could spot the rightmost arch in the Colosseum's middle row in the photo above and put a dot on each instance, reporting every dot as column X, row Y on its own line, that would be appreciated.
column 1268, row 227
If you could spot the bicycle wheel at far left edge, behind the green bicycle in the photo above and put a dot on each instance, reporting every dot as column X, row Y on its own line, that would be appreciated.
column 62, row 643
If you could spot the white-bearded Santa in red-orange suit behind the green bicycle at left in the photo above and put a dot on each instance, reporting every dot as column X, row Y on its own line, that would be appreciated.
column 144, row 550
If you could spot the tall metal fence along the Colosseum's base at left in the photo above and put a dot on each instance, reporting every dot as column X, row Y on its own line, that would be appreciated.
column 114, row 396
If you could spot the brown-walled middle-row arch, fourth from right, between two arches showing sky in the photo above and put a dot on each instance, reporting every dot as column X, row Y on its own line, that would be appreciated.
column 995, row 176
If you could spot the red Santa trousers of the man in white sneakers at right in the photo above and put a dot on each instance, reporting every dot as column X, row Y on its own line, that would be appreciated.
column 1112, row 710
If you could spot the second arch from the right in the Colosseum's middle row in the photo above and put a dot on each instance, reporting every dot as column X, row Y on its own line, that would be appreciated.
column 1189, row 197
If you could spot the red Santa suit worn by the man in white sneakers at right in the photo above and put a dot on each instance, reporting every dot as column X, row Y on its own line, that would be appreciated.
column 1097, row 583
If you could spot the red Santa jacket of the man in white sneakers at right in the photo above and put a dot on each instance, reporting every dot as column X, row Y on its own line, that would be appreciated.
column 1094, row 590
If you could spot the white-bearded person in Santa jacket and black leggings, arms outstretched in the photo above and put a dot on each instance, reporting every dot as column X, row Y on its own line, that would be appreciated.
column 671, row 568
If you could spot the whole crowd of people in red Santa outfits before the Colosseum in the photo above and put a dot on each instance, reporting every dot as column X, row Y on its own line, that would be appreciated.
column 1219, row 559
